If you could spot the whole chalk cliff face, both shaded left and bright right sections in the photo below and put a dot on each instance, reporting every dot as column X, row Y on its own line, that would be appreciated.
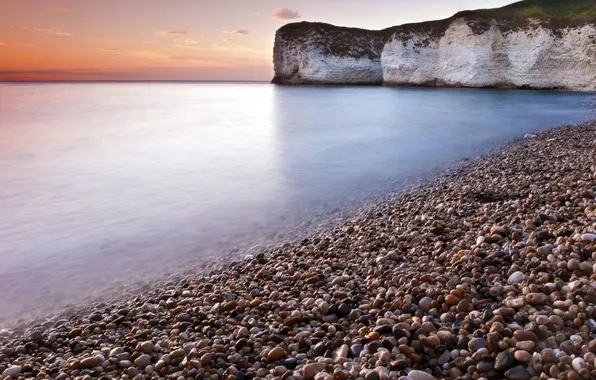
column 463, row 51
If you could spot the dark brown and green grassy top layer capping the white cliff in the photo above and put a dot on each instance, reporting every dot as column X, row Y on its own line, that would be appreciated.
column 355, row 42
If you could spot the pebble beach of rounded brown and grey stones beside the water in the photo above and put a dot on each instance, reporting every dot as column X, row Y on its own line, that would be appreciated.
column 465, row 276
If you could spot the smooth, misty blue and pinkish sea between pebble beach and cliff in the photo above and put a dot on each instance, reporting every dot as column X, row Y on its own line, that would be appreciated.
column 101, row 182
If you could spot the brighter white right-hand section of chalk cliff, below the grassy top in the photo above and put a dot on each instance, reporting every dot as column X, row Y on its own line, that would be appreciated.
column 532, row 57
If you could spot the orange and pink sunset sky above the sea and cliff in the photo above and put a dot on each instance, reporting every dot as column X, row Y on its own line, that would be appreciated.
column 178, row 39
